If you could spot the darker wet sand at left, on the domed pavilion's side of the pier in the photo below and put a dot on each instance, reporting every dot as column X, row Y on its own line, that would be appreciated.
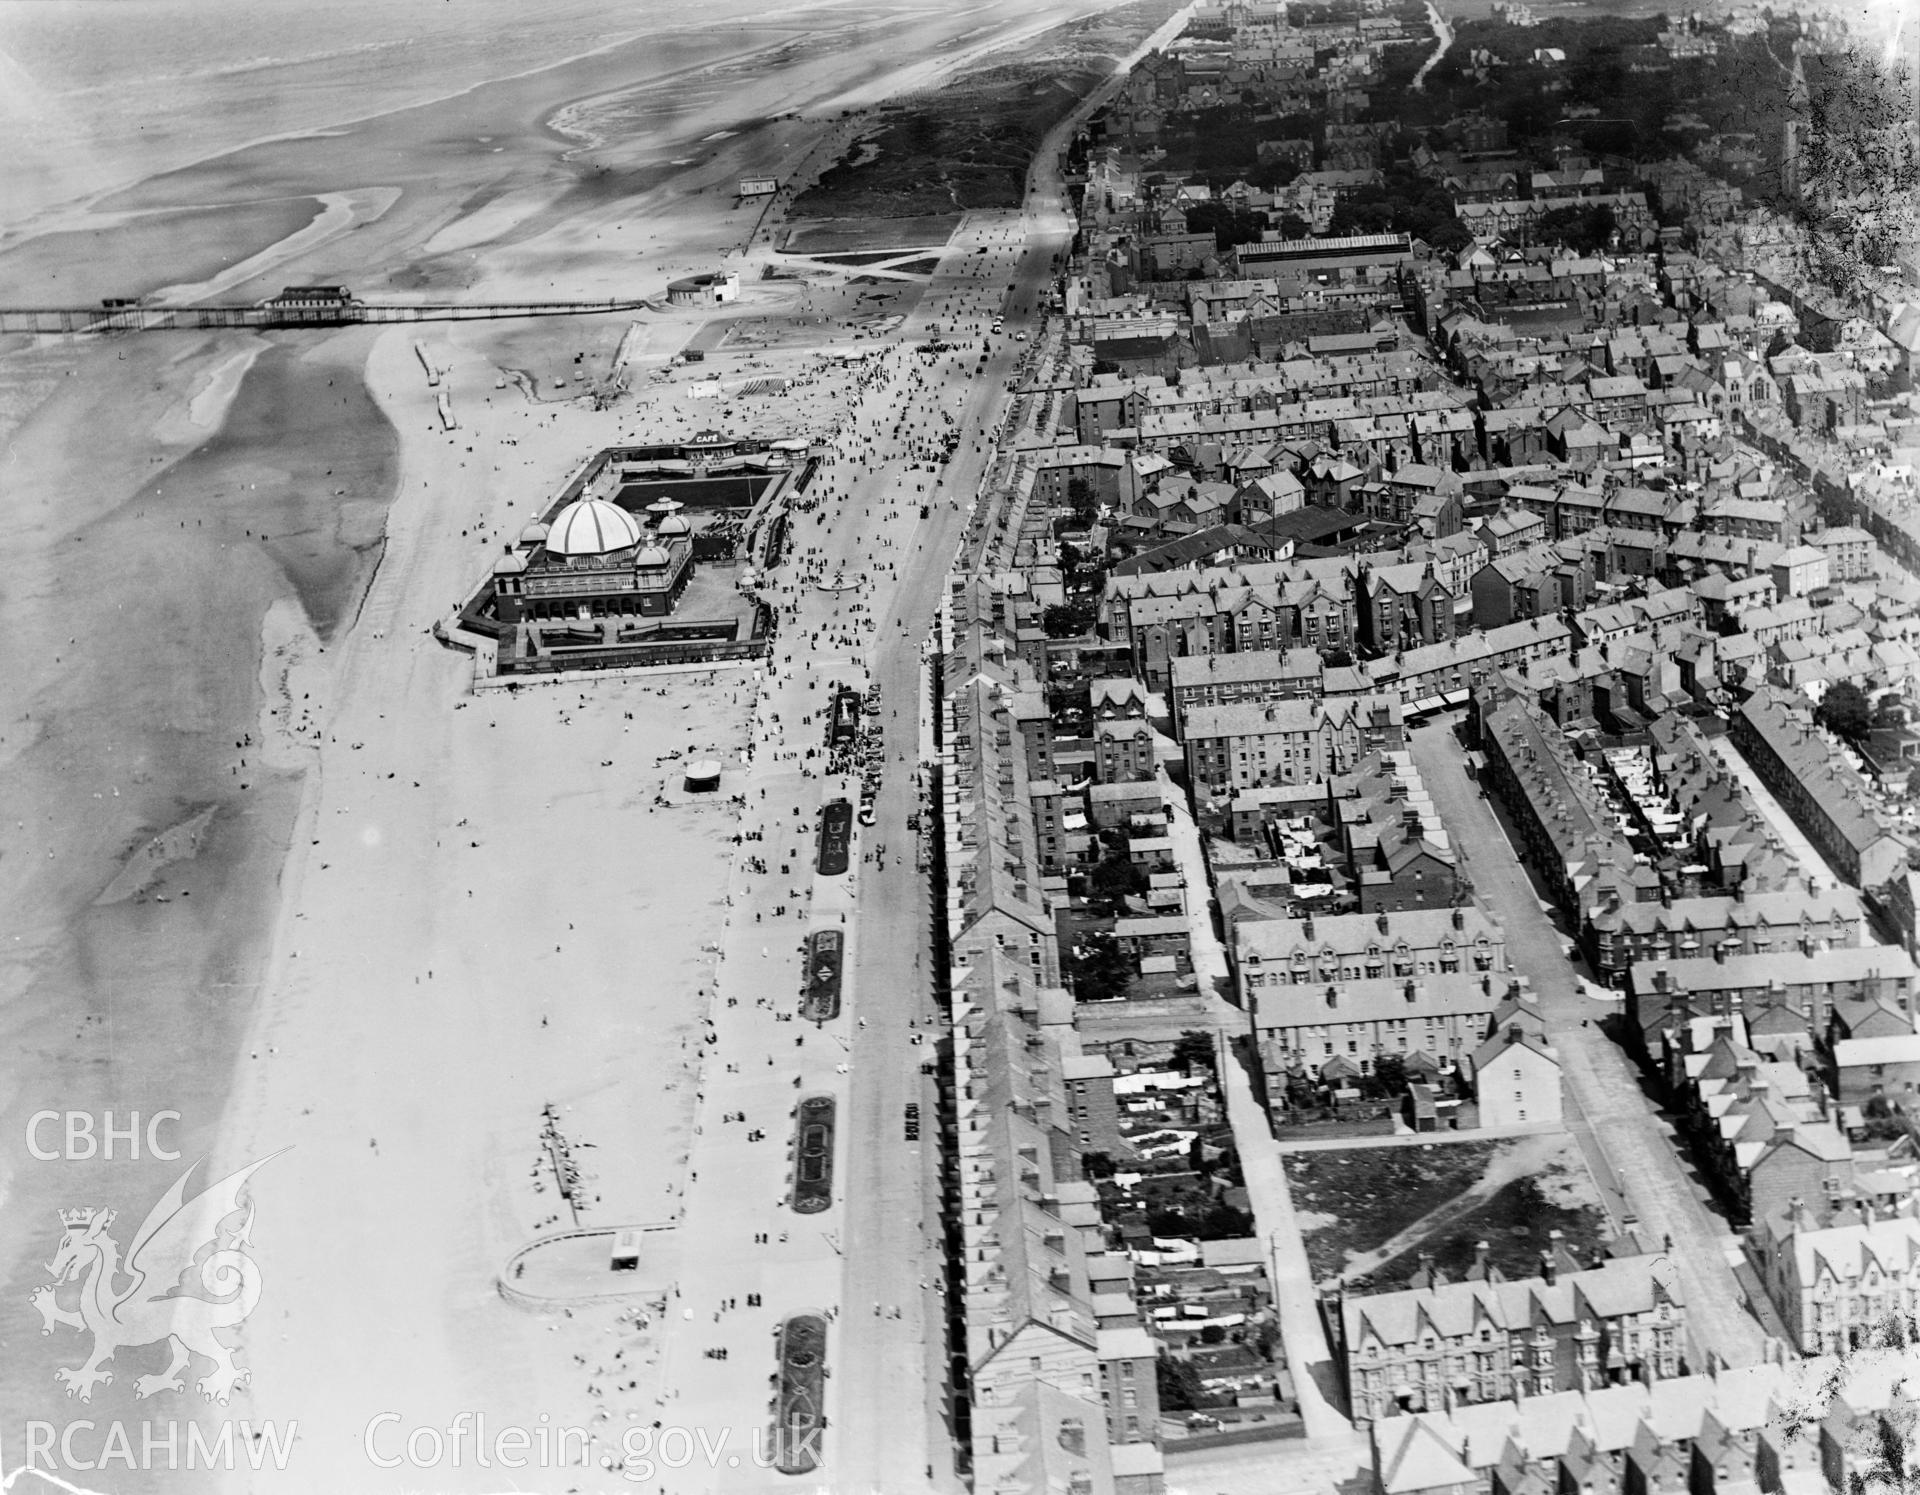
column 143, row 617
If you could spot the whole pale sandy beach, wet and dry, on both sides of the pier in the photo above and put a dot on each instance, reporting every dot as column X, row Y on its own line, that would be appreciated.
column 272, row 865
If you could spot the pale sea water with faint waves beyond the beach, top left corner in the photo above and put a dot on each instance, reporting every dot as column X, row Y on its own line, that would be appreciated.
column 97, row 97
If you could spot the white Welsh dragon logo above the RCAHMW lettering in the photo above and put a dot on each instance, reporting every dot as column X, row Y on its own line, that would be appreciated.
column 187, row 1275
